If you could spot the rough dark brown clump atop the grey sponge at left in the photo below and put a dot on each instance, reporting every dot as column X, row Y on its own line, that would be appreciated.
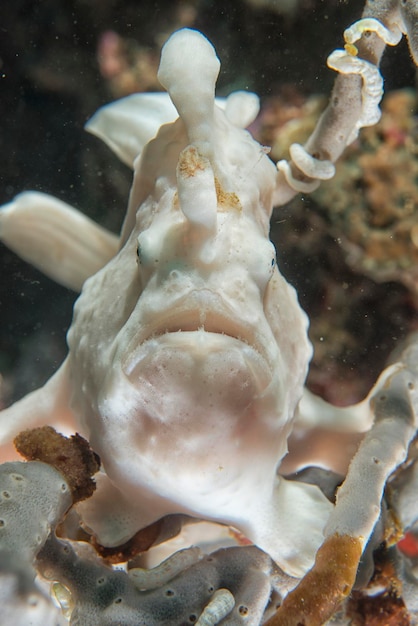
column 72, row 456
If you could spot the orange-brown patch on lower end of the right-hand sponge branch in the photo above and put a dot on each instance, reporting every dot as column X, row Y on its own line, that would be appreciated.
column 324, row 587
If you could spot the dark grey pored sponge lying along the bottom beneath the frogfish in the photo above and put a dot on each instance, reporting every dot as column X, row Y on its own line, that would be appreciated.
column 105, row 597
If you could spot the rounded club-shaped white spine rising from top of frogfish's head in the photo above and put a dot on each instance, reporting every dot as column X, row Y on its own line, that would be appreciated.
column 188, row 70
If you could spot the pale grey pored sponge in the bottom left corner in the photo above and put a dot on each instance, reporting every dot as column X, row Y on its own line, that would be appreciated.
column 33, row 499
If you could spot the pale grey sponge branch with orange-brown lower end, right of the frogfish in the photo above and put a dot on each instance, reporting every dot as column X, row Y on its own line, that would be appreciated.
column 352, row 521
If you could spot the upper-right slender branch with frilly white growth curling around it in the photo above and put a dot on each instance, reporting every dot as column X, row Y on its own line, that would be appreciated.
column 347, row 112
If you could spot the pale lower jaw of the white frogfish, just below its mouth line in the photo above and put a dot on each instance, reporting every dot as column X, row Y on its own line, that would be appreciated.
column 184, row 361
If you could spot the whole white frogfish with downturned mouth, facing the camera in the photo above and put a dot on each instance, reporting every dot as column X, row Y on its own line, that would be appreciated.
column 188, row 349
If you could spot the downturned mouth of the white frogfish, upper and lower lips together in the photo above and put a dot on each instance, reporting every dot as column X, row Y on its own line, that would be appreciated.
column 198, row 339
